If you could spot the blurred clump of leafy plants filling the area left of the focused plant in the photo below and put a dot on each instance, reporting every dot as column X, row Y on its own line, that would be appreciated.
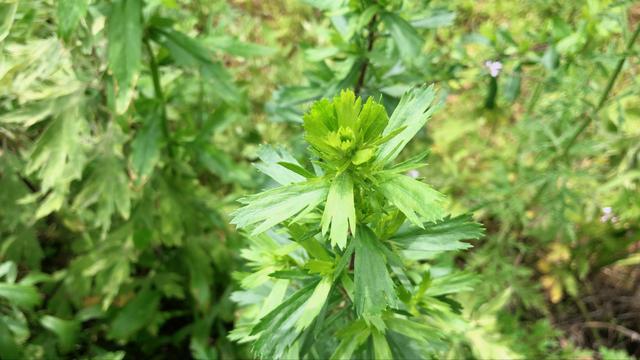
column 111, row 181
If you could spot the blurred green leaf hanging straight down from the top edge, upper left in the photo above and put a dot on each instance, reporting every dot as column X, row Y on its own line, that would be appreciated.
column 125, row 49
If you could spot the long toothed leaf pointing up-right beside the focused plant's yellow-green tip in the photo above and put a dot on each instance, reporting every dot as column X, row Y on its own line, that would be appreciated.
column 413, row 111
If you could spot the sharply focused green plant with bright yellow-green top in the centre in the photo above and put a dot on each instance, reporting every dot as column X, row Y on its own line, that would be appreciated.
column 340, row 256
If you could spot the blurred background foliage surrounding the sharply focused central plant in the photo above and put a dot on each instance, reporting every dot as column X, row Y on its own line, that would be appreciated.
column 128, row 129
